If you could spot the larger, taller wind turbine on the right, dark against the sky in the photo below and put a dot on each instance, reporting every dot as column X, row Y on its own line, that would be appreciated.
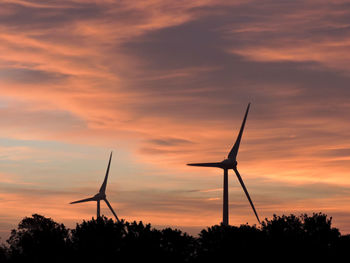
column 231, row 163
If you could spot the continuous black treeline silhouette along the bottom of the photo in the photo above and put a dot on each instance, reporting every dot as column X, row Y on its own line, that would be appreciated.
column 283, row 238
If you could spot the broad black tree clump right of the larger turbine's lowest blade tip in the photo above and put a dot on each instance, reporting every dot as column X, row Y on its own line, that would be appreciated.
column 308, row 236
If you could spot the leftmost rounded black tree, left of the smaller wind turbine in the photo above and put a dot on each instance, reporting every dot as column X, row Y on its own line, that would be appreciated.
column 38, row 239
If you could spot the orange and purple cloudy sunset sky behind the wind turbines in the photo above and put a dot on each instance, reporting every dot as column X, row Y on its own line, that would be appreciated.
column 165, row 83
